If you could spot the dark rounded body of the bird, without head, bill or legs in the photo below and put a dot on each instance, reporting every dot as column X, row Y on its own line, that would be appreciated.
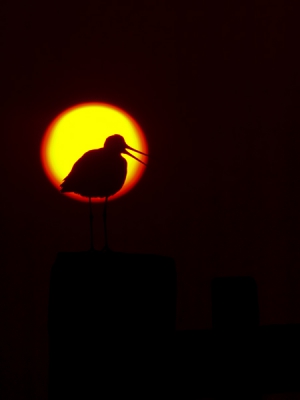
column 98, row 173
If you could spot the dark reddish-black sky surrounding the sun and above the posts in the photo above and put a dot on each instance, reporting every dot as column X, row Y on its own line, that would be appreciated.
column 216, row 90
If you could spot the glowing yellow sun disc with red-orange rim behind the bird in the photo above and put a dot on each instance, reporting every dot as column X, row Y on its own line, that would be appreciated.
column 85, row 127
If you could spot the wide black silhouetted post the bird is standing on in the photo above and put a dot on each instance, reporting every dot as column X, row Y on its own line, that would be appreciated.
column 110, row 317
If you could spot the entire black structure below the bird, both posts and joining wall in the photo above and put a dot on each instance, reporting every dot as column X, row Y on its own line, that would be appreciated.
column 112, row 329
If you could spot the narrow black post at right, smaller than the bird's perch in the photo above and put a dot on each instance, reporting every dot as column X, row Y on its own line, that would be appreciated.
column 235, row 317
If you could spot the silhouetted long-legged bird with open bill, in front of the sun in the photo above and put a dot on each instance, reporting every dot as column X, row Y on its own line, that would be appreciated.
column 100, row 173
